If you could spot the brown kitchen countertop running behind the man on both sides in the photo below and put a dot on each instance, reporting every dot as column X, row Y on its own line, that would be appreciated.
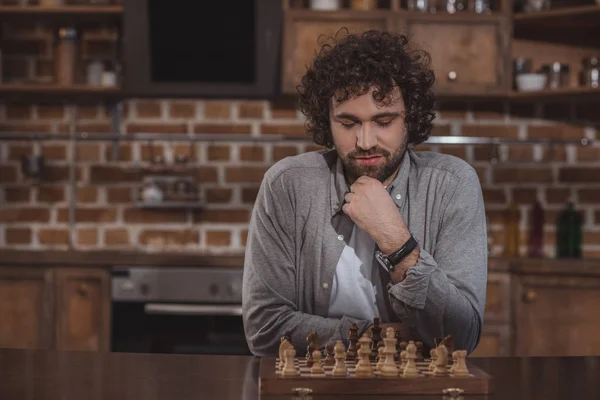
column 110, row 258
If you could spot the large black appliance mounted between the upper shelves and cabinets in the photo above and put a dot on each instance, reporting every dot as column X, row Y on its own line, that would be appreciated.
column 186, row 48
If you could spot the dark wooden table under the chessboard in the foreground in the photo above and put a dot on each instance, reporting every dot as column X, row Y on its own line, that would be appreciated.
column 53, row 375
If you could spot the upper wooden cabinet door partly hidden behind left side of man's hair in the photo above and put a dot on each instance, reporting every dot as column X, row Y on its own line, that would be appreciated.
column 305, row 29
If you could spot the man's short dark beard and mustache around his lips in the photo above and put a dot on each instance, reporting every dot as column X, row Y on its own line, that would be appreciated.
column 381, row 171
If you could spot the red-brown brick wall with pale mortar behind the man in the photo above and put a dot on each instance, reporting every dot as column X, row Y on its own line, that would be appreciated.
column 35, row 214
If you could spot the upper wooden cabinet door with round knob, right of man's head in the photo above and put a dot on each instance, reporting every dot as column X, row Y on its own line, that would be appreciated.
column 468, row 55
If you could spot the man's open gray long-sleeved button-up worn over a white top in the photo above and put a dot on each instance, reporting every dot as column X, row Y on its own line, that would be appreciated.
column 298, row 231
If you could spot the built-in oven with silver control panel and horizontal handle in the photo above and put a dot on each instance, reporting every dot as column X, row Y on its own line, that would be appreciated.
column 177, row 310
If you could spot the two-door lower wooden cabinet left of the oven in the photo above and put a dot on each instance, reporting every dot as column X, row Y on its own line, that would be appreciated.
column 54, row 308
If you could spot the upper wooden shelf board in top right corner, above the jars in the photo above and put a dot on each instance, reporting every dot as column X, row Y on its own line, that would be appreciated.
column 570, row 25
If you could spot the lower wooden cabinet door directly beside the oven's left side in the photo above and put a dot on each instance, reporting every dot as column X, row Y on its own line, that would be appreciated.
column 83, row 309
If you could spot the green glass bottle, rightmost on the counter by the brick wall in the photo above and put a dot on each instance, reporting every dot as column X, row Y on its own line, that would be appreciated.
column 569, row 233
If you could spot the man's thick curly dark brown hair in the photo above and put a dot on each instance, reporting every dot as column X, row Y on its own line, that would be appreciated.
column 352, row 65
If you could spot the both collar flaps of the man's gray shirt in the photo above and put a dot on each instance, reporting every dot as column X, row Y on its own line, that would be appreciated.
column 397, row 188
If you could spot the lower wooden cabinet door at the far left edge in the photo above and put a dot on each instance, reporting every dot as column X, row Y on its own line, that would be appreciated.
column 26, row 308
